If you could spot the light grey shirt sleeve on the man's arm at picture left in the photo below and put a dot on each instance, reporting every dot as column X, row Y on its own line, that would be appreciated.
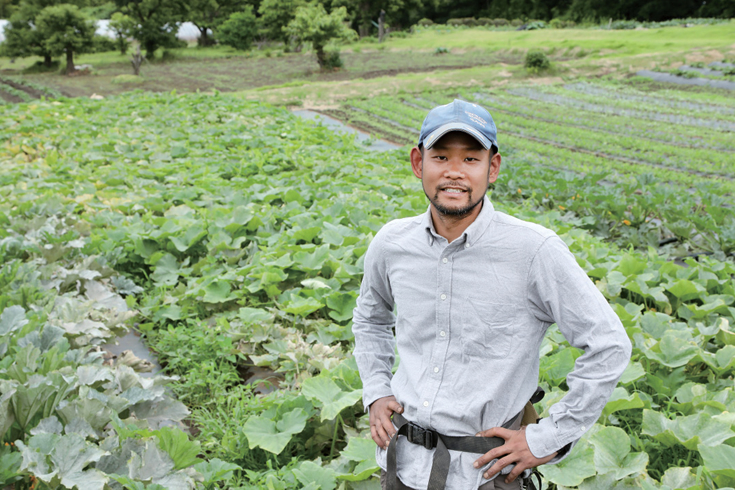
column 372, row 324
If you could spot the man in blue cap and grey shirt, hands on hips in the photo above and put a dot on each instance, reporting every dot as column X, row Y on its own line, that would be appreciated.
column 475, row 291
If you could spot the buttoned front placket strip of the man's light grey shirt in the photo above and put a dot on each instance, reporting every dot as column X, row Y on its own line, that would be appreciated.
column 442, row 336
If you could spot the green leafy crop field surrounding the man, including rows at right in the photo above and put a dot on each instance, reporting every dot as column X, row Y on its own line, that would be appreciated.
column 231, row 235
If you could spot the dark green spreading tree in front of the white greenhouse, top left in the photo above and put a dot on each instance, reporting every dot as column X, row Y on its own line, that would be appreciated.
column 155, row 22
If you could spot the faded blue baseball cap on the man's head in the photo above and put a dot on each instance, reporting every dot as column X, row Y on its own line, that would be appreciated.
column 459, row 115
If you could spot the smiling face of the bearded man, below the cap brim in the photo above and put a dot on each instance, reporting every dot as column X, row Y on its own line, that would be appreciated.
column 455, row 173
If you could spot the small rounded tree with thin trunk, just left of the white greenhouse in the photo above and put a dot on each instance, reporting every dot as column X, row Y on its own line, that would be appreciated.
column 65, row 29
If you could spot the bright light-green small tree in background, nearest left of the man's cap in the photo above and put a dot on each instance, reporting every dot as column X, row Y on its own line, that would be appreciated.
column 313, row 24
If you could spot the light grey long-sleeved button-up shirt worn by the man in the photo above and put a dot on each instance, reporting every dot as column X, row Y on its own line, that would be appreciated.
column 469, row 319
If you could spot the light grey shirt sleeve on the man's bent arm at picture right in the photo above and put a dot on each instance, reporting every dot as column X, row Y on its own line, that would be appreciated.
column 560, row 292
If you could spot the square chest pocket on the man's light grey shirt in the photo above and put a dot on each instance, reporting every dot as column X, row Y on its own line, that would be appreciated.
column 487, row 329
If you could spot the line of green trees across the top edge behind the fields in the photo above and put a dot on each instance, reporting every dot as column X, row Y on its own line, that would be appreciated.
column 49, row 28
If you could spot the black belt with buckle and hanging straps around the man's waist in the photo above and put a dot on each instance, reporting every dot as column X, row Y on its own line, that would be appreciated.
column 431, row 439
